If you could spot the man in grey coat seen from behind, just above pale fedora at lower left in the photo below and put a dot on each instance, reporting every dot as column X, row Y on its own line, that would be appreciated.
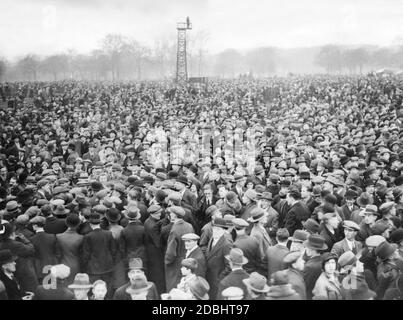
column 70, row 246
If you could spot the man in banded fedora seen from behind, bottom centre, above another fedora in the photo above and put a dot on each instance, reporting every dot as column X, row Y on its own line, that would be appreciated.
column 236, row 260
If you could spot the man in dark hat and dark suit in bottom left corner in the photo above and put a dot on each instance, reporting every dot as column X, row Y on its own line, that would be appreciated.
column 7, row 278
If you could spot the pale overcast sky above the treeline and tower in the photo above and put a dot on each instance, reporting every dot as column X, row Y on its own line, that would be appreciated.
column 52, row 26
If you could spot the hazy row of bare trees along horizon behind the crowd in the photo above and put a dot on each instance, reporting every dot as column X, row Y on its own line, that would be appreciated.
column 121, row 58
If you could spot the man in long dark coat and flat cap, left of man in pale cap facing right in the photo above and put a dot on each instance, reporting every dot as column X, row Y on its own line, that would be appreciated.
column 153, row 247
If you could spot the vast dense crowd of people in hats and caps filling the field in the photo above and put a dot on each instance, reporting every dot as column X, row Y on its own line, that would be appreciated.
column 272, row 189
